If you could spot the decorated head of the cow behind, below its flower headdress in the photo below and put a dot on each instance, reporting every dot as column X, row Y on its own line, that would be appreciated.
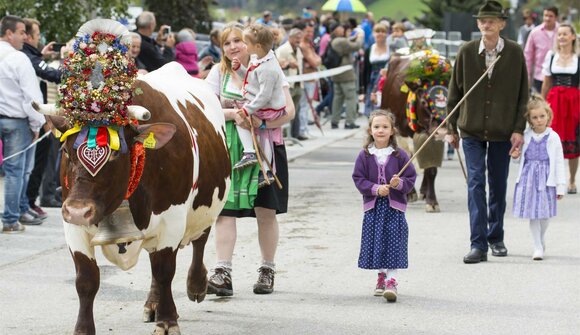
column 428, row 105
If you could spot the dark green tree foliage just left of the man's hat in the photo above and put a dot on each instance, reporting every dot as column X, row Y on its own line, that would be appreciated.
column 433, row 16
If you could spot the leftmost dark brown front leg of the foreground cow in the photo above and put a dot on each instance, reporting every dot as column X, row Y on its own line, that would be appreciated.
column 87, row 285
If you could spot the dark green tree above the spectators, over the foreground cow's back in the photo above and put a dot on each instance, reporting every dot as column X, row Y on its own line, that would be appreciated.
column 182, row 14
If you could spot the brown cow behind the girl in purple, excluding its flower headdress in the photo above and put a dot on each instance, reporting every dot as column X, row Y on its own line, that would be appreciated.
column 395, row 99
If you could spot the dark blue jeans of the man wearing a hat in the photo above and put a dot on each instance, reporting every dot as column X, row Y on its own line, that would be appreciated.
column 486, row 219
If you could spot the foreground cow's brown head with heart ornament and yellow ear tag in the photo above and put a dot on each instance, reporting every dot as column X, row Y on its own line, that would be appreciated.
column 90, row 196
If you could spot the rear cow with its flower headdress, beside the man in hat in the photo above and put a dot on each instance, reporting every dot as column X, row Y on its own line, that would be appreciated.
column 416, row 92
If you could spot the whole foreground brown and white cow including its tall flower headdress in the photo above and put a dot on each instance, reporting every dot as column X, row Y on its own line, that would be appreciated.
column 144, row 166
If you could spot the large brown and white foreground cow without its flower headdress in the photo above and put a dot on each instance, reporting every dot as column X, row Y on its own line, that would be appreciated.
column 183, row 188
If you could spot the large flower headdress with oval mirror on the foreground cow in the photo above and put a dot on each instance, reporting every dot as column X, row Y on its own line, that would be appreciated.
column 97, row 81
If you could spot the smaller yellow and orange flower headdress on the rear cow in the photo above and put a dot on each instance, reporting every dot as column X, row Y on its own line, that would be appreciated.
column 429, row 67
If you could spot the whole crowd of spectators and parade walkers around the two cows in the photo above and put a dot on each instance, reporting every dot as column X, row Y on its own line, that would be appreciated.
column 247, row 64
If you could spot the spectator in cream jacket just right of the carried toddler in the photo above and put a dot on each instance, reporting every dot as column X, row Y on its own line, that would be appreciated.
column 292, row 62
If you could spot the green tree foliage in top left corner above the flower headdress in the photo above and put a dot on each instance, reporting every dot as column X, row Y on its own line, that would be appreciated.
column 60, row 19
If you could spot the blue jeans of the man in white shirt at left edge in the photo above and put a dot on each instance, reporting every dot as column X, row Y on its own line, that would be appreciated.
column 16, row 136
